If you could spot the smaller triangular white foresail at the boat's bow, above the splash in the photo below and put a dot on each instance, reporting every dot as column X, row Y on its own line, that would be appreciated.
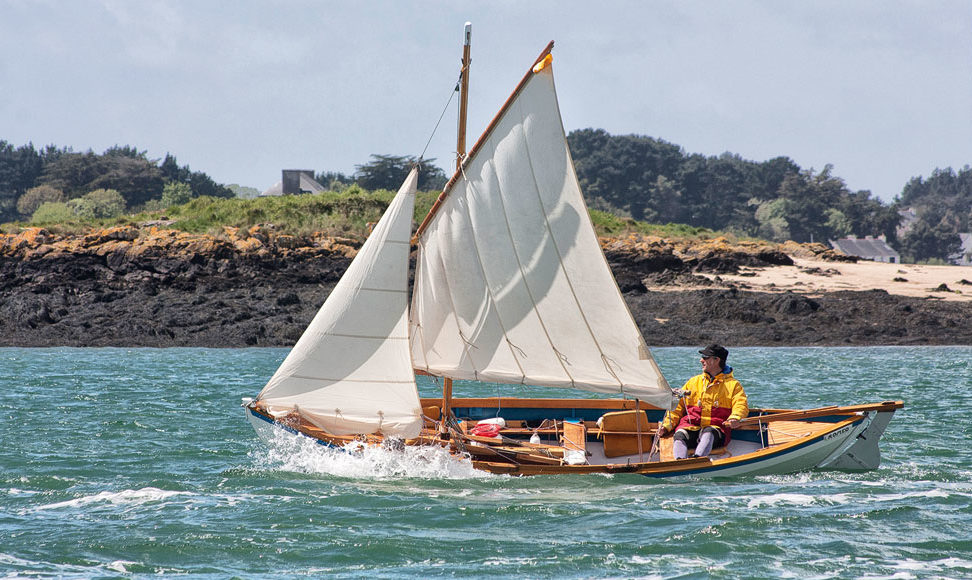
column 350, row 372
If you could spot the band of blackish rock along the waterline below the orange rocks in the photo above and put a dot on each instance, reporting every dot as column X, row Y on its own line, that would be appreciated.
column 225, row 299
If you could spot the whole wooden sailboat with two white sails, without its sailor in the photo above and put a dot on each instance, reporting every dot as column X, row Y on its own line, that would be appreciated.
column 511, row 287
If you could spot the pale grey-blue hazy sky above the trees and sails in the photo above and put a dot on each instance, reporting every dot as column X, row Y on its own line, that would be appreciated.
column 881, row 90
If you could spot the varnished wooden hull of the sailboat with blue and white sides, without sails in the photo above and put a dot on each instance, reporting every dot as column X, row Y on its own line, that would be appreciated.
column 788, row 441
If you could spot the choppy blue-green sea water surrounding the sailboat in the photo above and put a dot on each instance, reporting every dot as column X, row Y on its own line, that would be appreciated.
column 130, row 463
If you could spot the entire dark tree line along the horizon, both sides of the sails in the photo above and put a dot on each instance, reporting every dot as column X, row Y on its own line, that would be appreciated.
column 634, row 176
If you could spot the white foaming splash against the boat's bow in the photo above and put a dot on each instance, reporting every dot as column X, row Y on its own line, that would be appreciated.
column 285, row 452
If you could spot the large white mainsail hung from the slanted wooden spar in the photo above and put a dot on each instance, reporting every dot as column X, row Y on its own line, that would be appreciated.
column 511, row 284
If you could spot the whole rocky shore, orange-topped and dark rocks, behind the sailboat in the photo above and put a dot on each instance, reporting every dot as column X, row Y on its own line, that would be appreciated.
column 157, row 287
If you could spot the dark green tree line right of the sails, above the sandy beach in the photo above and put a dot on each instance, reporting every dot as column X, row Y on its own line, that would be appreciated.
column 653, row 180
